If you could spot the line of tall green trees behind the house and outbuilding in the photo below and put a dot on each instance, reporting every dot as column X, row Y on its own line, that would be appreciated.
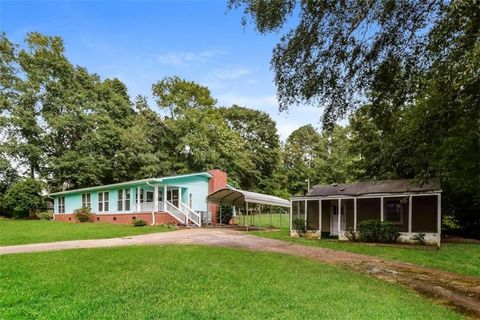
column 63, row 127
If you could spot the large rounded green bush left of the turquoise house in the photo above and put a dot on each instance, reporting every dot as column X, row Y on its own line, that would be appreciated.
column 23, row 198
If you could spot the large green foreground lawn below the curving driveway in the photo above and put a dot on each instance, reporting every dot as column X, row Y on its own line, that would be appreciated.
column 191, row 282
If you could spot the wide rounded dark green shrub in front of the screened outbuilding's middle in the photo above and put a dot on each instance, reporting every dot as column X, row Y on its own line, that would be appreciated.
column 377, row 231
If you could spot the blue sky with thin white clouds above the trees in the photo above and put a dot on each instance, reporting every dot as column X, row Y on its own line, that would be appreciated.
column 141, row 42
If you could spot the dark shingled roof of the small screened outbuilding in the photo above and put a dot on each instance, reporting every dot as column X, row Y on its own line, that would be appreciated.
column 375, row 187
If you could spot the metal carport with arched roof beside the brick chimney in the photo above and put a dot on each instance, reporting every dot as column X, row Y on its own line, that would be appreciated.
column 246, row 202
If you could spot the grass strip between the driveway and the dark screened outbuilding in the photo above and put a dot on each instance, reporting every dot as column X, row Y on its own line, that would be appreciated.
column 461, row 258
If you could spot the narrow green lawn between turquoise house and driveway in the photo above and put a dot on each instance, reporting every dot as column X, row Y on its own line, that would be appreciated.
column 34, row 231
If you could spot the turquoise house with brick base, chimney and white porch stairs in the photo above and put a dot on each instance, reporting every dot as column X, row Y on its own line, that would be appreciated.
column 177, row 199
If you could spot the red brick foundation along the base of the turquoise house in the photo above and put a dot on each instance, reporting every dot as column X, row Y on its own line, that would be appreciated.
column 121, row 218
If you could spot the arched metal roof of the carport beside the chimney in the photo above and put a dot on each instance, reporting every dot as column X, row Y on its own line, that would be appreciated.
column 236, row 197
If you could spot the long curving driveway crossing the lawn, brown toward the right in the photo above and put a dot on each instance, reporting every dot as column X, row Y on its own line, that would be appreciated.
column 458, row 291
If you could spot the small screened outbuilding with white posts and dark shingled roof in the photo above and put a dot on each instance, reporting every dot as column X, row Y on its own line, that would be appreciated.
column 411, row 207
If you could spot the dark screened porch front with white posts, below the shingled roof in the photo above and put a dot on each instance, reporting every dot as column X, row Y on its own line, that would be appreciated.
column 410, row 213
